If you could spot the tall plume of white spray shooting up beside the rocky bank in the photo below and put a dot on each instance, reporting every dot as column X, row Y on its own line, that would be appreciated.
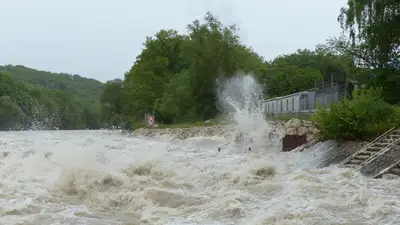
column 241, row 97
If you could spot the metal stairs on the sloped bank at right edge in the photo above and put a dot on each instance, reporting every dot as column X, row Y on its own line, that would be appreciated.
column 378, row 157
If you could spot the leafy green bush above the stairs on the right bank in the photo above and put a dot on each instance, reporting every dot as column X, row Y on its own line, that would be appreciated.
column 362, row 117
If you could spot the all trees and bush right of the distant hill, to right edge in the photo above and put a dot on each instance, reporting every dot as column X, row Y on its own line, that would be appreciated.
column 175, row 76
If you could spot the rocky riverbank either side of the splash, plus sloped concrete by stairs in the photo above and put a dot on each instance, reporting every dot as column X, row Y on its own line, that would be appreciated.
column 337, row 151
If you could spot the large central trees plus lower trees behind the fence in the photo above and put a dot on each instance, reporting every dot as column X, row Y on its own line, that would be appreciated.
column 175, row 76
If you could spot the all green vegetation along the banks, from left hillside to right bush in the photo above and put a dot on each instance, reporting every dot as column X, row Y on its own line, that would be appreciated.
column 176, row 76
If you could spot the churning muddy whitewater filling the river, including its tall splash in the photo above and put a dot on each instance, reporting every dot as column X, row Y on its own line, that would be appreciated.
column 105, row 177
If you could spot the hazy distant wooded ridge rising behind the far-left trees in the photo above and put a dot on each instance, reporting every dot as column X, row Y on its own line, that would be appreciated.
column 81, row 88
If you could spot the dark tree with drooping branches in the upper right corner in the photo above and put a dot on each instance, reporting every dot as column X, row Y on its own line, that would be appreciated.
column 374, row 31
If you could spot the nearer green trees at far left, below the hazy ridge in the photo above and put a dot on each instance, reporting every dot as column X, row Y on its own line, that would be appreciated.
column 30, row 107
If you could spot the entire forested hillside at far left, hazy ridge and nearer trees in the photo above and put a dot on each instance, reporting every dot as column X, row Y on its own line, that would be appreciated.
column 32, row 99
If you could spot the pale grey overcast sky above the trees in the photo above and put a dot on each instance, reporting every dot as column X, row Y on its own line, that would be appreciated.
column 101, row 38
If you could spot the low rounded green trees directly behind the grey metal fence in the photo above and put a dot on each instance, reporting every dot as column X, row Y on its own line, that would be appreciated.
column 303, row 70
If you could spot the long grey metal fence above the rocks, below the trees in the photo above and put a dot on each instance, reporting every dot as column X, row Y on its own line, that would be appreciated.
column 306, row 101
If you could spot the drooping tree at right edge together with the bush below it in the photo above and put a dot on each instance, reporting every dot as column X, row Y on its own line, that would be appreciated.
column 374, row 45
